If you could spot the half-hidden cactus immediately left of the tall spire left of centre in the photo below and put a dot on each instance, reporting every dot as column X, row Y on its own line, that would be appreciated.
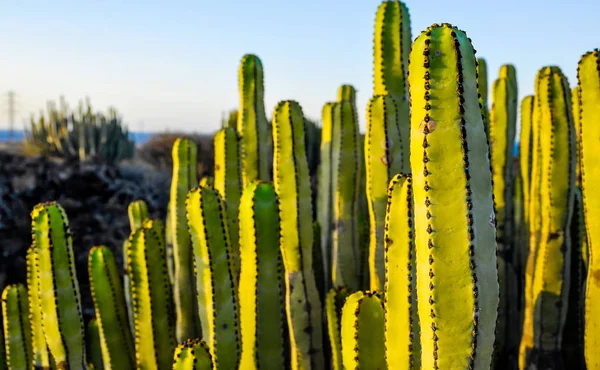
column 228, row 182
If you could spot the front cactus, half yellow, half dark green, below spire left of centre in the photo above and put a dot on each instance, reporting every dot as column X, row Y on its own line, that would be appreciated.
column 261, row 289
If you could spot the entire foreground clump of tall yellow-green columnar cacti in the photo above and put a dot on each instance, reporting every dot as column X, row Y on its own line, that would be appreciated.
column 427, row 245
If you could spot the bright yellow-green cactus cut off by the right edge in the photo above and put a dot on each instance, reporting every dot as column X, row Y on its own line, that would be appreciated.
column 588, row 74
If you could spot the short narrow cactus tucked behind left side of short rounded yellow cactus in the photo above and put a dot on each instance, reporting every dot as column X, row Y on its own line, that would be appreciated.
column 333, row 313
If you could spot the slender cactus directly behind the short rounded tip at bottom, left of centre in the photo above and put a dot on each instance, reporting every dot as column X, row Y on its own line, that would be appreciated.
column 184, row 178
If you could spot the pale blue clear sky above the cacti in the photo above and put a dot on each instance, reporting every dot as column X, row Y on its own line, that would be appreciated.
column 174, row 64
